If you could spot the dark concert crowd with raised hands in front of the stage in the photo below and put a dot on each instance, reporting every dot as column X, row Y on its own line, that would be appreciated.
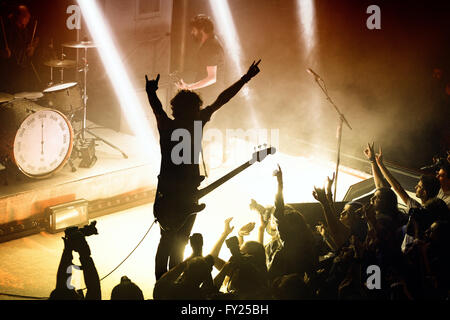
column 328, row 261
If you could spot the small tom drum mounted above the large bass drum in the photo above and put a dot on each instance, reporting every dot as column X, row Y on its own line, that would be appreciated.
column 65, row 97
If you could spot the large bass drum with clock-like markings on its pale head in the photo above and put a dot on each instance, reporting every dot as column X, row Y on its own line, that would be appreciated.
column 35, row 139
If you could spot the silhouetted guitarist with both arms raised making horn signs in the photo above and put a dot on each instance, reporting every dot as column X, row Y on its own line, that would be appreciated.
column 178, row 182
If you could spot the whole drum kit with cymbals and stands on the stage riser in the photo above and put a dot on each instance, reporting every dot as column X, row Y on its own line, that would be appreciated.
column 37, row 133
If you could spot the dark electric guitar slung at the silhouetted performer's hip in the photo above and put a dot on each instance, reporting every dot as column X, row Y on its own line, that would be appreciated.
column 173, row 208
